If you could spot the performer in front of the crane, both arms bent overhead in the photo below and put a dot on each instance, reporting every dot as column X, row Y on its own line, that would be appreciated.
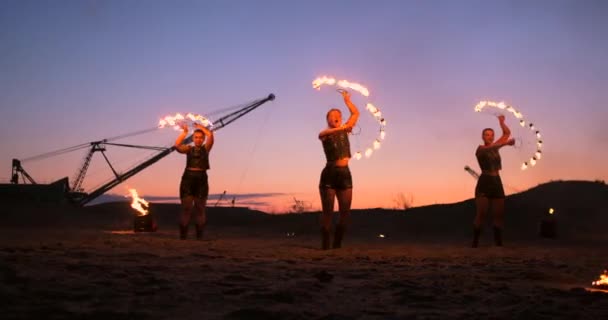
column 194, row 186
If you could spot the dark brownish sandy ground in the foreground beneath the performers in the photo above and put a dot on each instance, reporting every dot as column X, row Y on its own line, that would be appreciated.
column 76, row 273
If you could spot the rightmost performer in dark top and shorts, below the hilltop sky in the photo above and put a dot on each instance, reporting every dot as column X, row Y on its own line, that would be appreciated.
column 489, row 192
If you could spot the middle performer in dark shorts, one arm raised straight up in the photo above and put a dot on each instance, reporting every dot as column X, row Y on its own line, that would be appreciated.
column 336, row 179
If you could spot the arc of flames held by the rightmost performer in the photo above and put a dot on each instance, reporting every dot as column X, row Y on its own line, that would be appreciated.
column 502, row 108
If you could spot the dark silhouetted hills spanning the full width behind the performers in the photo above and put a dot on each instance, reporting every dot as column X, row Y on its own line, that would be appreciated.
column 581, row 211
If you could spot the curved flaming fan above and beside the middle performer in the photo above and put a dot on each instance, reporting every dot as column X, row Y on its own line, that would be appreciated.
column 373, row 110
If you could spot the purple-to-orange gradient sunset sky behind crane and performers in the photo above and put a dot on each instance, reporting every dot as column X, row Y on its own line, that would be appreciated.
column 78, row 71
